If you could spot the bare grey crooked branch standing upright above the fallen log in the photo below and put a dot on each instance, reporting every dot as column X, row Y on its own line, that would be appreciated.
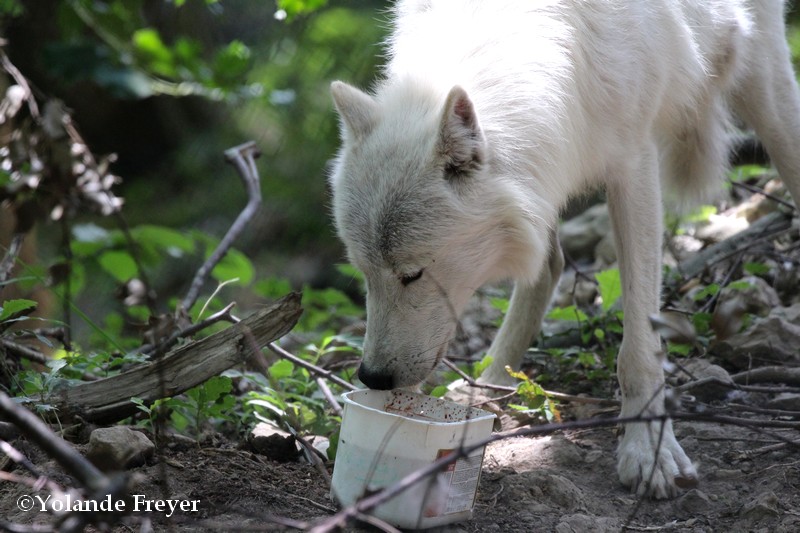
column 243, row 158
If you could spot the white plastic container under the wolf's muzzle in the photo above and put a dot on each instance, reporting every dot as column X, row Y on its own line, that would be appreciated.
column 387, row 435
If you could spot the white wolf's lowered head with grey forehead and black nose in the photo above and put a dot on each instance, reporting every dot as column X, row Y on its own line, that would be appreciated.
column 424, row 217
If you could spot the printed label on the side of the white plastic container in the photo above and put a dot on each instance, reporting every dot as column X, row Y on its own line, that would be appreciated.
column 456, row 487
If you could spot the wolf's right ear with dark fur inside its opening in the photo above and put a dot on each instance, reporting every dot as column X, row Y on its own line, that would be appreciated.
column 461, row 142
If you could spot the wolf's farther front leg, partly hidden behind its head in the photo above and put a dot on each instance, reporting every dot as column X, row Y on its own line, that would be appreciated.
column 524, row 318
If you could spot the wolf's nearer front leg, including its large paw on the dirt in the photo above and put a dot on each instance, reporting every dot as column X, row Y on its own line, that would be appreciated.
column 650, row 460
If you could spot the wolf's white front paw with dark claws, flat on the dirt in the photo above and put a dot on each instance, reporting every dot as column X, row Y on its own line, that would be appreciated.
column 652, row 463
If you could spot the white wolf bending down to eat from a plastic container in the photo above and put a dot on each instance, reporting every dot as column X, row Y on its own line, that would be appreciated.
column 492, row 114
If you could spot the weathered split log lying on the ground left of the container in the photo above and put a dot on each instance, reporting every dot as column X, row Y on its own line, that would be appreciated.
column 109, row 400
